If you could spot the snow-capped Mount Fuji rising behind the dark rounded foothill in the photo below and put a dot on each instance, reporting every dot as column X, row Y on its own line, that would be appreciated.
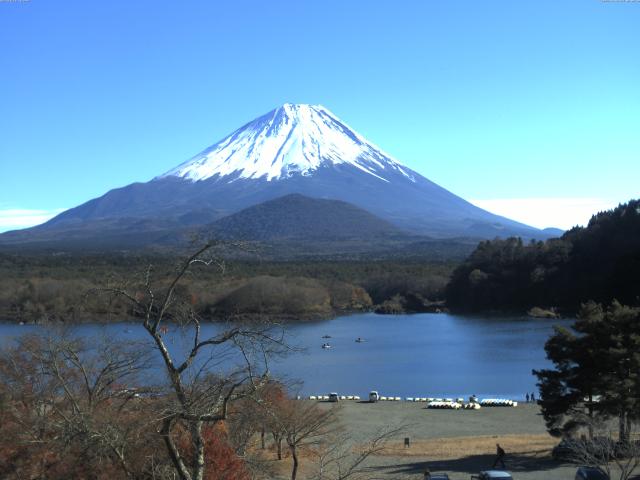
column 293, row 149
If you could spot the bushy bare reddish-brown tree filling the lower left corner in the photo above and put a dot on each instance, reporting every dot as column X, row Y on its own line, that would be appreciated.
column 70, row 406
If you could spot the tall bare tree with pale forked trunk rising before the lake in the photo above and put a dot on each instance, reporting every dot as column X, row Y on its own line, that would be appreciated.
column 202, row 383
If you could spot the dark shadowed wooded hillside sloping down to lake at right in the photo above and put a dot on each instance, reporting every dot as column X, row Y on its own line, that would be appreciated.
column 599, row 262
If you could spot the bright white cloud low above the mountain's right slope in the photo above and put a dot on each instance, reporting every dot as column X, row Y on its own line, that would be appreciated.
column 546, row 212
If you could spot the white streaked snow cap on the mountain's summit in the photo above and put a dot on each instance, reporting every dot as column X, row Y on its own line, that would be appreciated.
column 294, row 139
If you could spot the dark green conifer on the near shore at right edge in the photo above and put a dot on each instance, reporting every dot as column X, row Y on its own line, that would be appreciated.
column 596, row 374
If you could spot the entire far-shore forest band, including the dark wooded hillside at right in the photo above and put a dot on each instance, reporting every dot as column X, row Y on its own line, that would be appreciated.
column 599, row 262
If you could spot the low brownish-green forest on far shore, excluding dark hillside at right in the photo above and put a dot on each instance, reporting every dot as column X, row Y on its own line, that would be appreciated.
column 63, row 288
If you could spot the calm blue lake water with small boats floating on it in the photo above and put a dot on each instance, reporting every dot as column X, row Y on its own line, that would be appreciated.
column 427, row 355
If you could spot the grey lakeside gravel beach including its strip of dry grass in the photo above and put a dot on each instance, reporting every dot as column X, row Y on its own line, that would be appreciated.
column 460, row 443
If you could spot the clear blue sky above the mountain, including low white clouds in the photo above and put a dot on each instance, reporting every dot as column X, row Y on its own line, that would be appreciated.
column 531, row 109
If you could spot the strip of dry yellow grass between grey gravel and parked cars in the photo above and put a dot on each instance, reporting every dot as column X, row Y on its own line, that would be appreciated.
column 534, row 446
